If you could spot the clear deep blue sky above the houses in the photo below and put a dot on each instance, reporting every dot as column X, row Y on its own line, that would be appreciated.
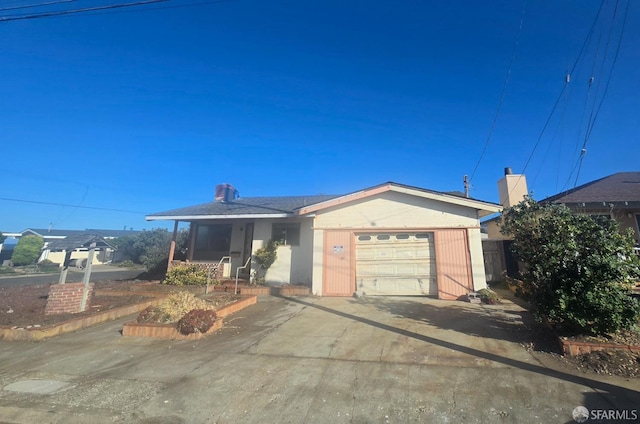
column 146, row 109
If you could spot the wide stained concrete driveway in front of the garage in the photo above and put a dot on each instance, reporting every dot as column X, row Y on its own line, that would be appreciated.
column 307, row 360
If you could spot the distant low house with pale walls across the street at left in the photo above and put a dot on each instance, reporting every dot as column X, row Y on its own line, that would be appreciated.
column 104, row 254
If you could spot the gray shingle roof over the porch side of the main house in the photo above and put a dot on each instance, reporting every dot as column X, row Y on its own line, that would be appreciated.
column 249, row 206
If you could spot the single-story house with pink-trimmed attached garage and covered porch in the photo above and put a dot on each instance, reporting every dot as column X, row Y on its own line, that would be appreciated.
column 391, row 239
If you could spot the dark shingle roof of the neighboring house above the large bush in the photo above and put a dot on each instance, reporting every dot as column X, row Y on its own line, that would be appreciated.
column 620, row 187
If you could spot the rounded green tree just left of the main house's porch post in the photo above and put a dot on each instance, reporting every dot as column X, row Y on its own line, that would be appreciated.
column 149, row 248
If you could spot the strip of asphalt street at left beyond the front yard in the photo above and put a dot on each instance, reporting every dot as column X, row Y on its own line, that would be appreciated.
column 99, row 273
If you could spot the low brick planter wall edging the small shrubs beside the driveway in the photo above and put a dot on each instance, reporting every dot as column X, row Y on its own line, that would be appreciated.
column 169, row 331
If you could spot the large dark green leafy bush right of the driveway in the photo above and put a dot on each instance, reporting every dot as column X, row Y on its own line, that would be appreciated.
column 578, row 269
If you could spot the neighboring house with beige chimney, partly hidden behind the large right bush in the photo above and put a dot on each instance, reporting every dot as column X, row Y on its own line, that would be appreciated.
column 616, row 196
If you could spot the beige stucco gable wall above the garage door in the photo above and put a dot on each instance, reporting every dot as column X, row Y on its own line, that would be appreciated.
column 397, row 210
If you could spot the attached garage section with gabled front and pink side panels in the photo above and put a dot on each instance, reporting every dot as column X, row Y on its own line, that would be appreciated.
column 398, row 240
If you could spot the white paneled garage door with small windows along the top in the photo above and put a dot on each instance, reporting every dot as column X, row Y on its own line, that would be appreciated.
column 396, row 264
